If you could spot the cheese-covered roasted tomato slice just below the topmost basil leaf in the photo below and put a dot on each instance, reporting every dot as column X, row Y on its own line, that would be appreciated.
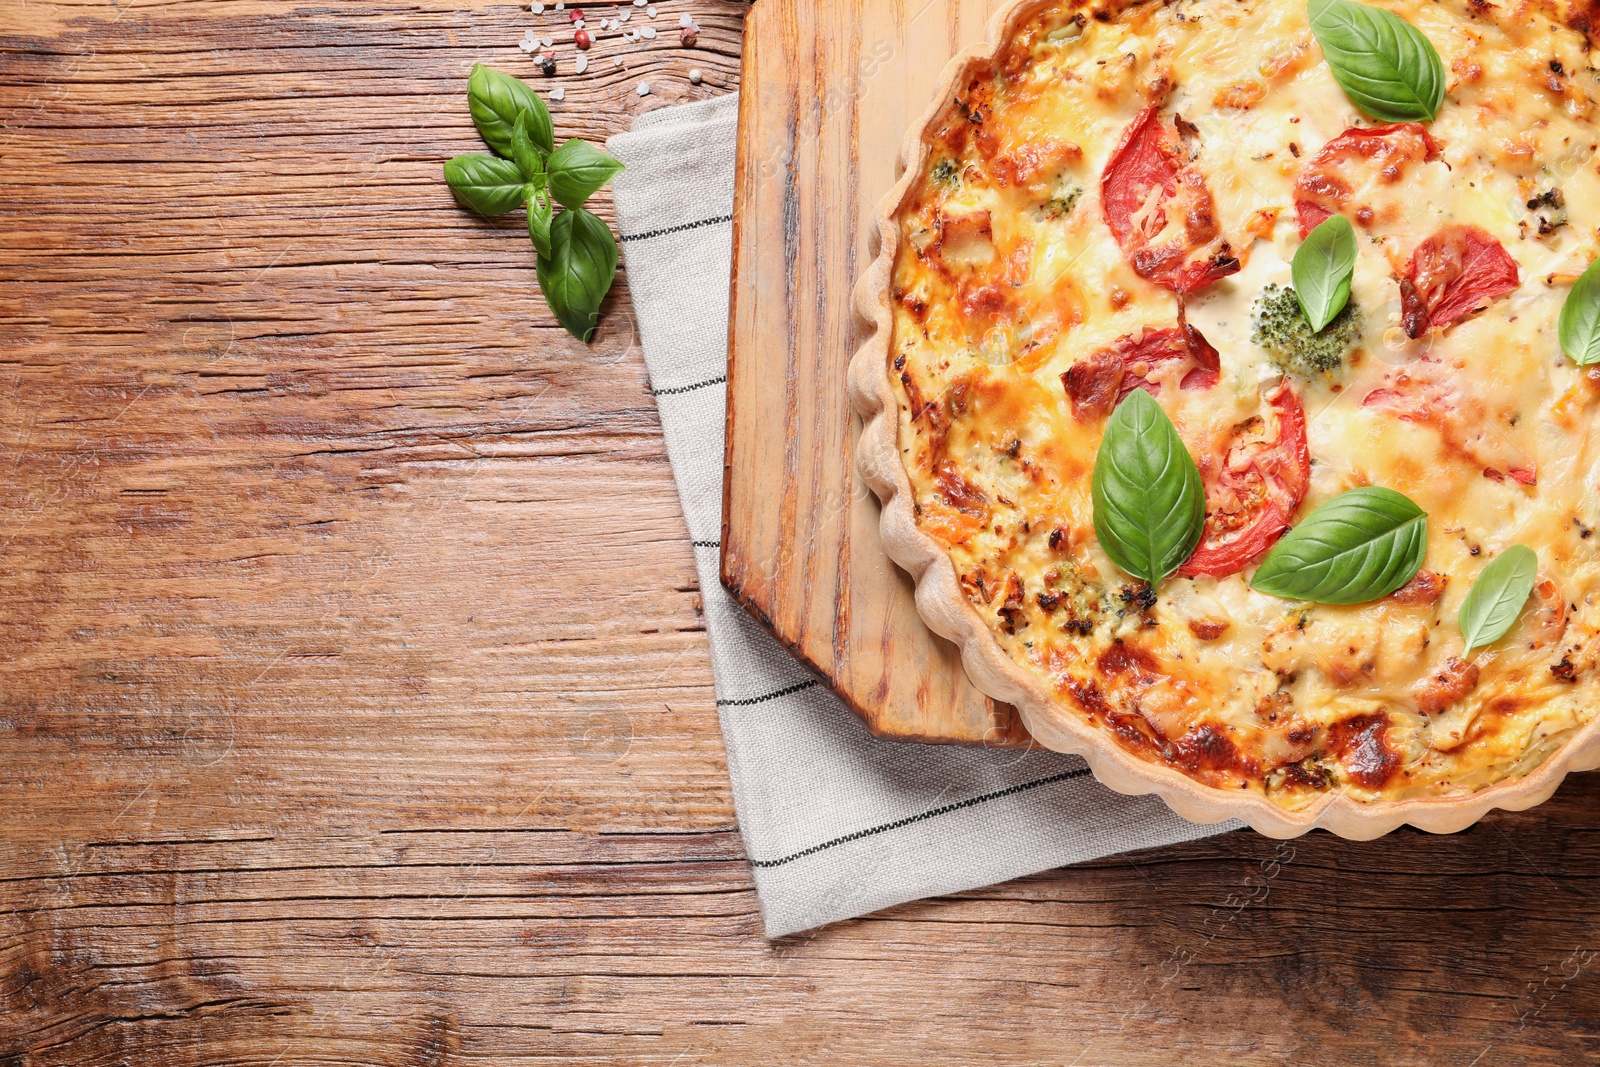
column 1356, row 158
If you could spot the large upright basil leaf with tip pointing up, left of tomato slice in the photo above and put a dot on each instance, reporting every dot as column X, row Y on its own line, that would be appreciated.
column 1150, row 505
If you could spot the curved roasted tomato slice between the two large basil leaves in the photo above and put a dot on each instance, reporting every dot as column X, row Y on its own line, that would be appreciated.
column 1254, row 490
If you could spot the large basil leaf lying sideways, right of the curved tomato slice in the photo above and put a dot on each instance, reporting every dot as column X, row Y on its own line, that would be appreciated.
column 1359, row 546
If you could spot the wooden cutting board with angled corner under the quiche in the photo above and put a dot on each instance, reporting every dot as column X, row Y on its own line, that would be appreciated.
column 828, row 92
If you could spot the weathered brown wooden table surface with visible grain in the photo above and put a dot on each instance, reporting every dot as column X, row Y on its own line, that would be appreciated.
column 354, row 703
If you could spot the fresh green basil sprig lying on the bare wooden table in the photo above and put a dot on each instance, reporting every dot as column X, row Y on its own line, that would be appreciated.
column 577, row 252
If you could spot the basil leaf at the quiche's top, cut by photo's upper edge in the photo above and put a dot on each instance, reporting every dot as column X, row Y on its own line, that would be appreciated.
column 1383, row 63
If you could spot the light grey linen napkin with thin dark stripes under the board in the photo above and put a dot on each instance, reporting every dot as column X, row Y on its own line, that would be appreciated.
column 834, row 821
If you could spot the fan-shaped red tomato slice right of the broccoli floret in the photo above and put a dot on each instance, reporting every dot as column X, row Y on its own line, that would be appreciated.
column 1455, row 273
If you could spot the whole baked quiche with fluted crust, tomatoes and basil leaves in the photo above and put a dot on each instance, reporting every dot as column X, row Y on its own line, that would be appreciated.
column 1340, row 284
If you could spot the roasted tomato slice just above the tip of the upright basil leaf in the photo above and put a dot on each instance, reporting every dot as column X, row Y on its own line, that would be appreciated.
column 1097, row 385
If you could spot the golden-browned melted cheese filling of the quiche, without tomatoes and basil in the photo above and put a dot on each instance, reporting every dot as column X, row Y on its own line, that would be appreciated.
column 1009, row 276
